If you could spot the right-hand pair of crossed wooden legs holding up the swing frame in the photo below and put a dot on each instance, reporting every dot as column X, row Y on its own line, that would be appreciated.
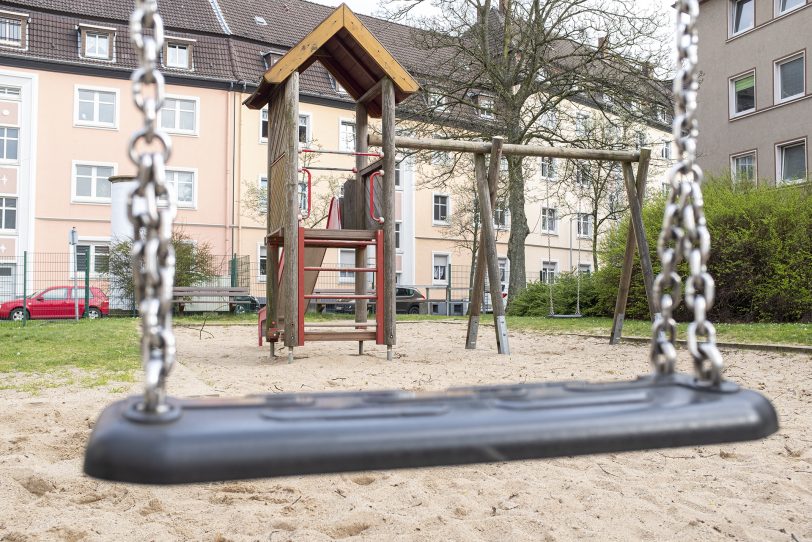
column 636, row 194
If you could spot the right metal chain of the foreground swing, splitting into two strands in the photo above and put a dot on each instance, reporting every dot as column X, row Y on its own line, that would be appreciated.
column 685, row 235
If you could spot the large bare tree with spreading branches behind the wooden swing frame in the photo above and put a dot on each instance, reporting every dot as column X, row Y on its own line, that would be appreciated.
column 512, row 69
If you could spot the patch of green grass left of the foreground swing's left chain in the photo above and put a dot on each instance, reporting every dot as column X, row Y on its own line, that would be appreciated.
column 47, row 354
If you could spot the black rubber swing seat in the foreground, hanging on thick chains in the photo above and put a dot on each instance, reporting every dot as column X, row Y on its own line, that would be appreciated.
column 212, row 439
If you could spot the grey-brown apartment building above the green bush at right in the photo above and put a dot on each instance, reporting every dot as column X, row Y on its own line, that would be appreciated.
column 754, row 106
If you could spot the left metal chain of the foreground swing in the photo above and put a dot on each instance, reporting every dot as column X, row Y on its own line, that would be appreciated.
column 151, row 210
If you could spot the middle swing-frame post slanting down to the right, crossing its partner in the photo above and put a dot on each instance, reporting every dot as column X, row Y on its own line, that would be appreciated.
column 489, row 244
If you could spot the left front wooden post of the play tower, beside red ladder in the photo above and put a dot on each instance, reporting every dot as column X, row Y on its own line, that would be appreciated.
column 290, row 274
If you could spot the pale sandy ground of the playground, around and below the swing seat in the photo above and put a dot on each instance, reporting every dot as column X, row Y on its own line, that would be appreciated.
column 752, row 491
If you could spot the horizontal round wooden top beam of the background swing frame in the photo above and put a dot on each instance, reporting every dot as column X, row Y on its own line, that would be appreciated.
column 483, row 147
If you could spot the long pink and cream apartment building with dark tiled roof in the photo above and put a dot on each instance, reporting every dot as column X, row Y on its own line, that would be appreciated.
column 66, row 116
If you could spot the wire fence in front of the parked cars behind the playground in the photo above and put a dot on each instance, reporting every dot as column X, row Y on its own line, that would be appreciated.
column 88, row 283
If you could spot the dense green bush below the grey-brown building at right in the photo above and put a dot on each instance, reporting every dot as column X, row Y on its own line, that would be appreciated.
column 761, row 255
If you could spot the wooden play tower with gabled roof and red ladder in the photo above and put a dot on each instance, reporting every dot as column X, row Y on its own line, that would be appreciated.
column 377, row 83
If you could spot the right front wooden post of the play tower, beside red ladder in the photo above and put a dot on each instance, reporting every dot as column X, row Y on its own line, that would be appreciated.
column 389, row 263
